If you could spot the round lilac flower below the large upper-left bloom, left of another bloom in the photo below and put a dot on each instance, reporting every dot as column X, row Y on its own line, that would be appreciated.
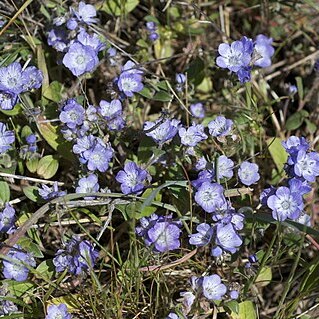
column 72, row 114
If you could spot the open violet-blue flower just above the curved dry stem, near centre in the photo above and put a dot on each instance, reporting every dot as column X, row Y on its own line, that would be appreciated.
column 132, row 178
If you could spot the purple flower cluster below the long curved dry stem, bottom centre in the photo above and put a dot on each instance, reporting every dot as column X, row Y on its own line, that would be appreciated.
column 160, row 232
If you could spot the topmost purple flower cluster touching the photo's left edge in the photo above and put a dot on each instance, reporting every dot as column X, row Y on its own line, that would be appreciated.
column 14, row 81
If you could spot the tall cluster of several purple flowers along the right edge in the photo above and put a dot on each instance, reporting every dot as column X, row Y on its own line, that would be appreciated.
column 302, row 168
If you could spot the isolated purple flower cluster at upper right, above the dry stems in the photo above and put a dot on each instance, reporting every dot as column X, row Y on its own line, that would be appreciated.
column 241, row 55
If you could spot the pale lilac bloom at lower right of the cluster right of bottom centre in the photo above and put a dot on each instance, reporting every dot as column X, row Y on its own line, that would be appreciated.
column 227, row 238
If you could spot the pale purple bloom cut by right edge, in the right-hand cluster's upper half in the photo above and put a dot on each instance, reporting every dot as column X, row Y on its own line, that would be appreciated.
column 307, row 165
